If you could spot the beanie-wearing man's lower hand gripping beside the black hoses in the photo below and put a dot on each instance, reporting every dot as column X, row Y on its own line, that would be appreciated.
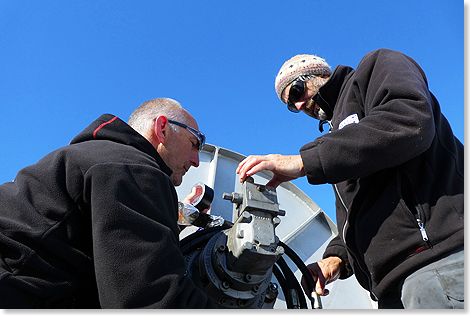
column 323, row 272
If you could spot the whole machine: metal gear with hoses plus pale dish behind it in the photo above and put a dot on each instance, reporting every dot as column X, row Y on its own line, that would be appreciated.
column 302, row 233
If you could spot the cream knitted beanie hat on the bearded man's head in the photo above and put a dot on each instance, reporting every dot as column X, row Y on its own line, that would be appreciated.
column 297, row 66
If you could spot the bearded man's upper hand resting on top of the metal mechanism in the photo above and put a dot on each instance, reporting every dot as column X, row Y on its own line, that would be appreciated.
column 284, row 167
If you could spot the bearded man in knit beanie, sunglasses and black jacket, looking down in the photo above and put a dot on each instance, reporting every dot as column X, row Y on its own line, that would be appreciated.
column 396, row 170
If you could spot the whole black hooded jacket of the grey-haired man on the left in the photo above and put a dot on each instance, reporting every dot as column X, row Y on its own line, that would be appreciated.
column 93, row 225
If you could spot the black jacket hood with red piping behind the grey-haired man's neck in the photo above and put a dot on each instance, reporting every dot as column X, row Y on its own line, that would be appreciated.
column 111, row 128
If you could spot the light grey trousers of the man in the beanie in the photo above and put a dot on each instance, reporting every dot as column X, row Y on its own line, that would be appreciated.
column 439, row 285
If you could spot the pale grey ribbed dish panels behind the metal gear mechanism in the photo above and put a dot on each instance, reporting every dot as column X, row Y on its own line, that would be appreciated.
column 305, row 228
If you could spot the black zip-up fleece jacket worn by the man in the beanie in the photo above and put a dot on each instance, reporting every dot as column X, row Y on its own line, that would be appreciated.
column 396, row 167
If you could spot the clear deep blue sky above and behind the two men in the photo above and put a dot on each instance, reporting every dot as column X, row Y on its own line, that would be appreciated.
column 64, row 63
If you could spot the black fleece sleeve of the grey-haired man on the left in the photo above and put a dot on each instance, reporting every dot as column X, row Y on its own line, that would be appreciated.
column 137, row 259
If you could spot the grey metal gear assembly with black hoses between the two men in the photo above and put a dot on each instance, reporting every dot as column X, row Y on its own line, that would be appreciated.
column 241, row 265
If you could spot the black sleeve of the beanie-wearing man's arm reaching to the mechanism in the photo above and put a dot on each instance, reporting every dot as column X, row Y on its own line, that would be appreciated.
column 389, row 93
